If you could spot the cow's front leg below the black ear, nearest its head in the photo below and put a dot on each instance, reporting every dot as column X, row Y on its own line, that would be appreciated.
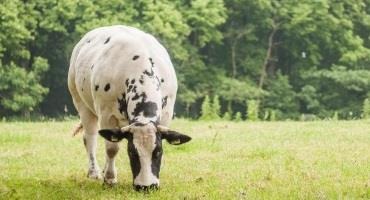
column 110, row 172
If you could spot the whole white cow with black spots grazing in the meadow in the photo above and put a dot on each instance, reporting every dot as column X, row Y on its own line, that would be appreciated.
column 122, row 80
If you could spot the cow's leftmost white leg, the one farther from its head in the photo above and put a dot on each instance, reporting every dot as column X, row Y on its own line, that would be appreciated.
column 89, row 123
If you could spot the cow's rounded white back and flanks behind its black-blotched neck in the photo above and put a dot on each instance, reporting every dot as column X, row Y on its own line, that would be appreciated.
column 106, row 57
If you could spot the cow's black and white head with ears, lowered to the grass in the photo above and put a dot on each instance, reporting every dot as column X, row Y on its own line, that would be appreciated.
column 145, row 149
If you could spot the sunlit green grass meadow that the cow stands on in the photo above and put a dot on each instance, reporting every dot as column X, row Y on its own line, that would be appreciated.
column 225, row 160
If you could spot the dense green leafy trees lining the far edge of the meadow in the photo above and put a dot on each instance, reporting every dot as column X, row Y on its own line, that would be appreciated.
column 280, row 58
